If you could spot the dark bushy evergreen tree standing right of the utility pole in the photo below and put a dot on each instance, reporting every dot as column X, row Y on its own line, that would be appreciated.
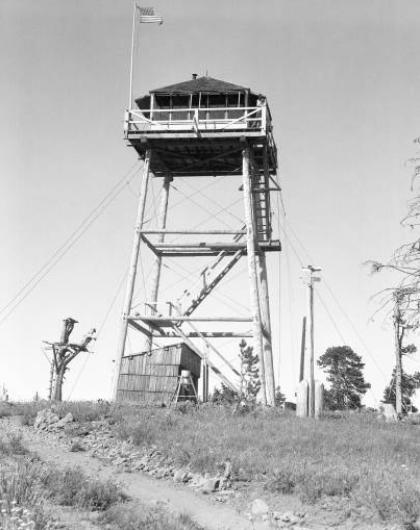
column 344, row 369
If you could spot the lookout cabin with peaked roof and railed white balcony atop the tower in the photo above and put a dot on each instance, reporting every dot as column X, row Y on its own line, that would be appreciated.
column 177, row 118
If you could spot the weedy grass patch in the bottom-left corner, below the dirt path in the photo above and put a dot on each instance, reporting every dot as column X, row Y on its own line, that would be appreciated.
column 26, row 484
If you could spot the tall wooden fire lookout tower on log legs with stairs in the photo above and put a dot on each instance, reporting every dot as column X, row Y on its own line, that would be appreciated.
column 204, row 128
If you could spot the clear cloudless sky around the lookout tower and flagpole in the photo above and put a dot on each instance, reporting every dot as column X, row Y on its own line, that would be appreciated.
column 342, row 82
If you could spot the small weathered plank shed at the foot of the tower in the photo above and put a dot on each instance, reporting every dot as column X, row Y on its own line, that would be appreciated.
column 152, row 377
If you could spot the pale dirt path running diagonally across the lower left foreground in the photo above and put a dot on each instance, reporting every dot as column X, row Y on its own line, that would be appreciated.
column 137, row 485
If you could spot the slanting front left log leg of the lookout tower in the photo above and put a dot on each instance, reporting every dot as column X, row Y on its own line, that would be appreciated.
column 131, row 280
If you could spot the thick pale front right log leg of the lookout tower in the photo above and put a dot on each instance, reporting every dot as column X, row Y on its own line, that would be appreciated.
column 252, row 267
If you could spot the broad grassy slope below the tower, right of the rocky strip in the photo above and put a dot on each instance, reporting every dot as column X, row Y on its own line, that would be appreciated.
column 353, row 457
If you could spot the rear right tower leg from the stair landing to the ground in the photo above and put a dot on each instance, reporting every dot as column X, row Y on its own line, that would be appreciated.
column 266, row 324
